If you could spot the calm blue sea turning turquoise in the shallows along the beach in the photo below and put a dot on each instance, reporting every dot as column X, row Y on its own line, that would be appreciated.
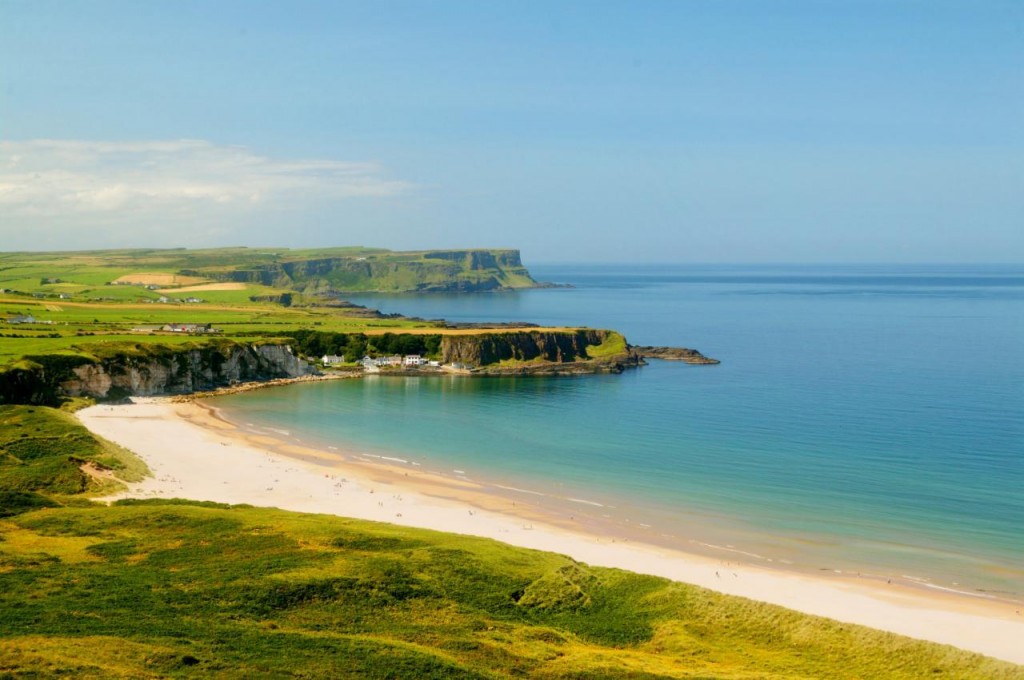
column 867, row 419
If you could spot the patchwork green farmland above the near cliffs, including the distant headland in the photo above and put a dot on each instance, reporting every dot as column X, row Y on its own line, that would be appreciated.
column 95, row 314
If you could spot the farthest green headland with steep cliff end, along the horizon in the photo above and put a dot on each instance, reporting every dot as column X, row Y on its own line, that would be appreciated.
column 90, row 274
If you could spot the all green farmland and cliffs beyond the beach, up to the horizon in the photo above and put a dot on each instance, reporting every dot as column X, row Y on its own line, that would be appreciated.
column 112, row 324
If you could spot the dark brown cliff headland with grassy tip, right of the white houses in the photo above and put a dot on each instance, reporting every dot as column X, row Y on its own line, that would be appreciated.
column 567, row 352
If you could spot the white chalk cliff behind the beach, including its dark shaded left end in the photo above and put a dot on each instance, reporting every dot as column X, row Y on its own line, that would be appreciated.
column 147, row 370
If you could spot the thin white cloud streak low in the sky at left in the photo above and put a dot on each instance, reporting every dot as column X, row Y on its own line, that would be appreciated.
column 194, row 186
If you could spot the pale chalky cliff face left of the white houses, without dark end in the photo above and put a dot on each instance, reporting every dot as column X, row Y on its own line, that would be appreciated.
column 183, row 373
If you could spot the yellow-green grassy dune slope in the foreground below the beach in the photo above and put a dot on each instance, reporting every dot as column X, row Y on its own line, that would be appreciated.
column 165, row 588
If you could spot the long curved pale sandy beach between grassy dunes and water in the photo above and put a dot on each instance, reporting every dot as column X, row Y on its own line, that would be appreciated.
column 195, row 454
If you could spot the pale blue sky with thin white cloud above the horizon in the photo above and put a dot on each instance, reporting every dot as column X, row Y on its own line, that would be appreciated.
column 675, row 131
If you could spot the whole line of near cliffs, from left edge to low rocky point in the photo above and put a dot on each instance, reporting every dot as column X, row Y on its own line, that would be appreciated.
column 118, row 371
